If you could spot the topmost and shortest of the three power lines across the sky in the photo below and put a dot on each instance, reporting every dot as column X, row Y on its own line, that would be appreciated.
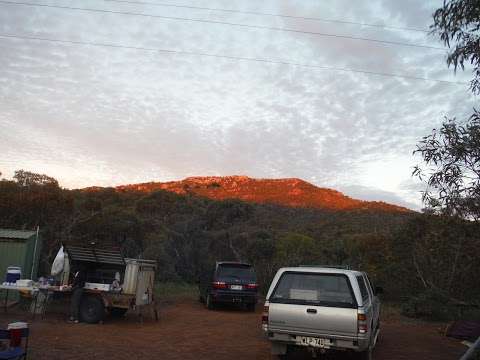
column 345, row 22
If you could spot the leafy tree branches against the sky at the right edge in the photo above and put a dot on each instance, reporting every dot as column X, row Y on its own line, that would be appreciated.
column 452, row 153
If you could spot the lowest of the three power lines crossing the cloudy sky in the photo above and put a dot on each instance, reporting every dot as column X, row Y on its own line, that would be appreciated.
column 229, row 57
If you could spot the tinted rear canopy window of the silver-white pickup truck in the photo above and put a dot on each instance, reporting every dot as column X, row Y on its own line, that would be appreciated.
column 314, row 289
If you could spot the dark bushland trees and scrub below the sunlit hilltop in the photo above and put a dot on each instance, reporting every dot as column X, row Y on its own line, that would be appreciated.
column 424, row 261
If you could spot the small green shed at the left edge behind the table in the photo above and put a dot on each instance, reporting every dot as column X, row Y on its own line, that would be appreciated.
column 19, row 248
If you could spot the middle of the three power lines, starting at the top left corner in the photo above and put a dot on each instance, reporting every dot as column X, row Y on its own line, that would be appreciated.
column 396, row 43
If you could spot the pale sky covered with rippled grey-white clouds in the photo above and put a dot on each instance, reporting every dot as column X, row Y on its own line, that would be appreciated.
column 101, row 115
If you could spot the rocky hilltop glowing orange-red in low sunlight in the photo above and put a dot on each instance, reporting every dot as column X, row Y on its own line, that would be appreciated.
column 285, row 192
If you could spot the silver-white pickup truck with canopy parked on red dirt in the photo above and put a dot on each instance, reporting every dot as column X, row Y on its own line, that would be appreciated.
column 321, row 309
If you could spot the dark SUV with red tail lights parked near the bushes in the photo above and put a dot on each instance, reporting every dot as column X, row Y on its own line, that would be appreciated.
column 229, row 283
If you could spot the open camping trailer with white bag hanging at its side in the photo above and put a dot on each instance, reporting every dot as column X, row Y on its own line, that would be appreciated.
column 113, row 284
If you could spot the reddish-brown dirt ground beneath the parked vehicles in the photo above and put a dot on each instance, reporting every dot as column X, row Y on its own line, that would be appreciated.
column 187, row 330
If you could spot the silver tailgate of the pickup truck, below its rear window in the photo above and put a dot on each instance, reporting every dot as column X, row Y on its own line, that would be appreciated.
column 314, row 320
